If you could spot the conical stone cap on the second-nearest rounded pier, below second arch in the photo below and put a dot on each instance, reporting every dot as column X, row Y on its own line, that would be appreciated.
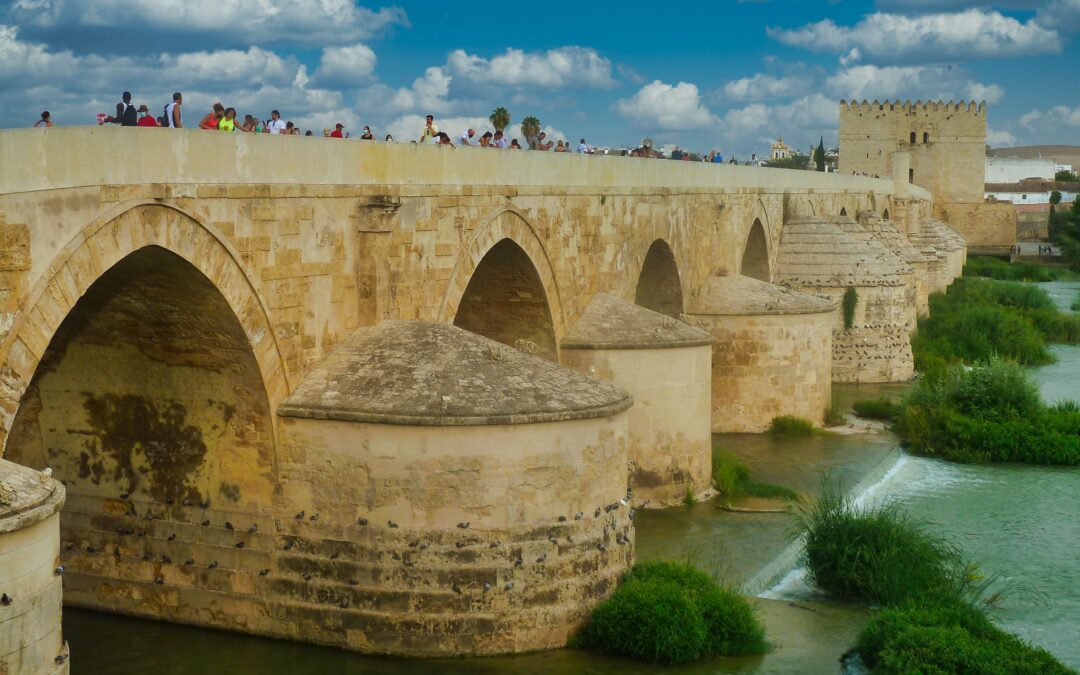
column 610, row 322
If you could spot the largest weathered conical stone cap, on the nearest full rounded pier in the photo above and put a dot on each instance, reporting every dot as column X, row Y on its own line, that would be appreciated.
column 418, row 373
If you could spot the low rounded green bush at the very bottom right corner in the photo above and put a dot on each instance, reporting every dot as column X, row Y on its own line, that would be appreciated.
column 948, row 638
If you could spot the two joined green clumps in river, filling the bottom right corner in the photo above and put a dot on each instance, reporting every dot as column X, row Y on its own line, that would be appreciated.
column 933, row 620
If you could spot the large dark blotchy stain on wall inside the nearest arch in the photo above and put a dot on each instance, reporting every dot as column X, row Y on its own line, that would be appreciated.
column 127, row 426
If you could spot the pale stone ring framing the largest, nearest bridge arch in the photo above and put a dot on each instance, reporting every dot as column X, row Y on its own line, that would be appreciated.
column 118, row 234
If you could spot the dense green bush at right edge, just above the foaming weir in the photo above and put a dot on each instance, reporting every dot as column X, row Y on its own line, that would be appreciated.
column 989, row 413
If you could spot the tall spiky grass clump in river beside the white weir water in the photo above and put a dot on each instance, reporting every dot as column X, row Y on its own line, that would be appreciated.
column 877, row 556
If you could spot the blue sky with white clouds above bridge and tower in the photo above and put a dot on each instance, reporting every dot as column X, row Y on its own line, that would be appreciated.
column 730, row 76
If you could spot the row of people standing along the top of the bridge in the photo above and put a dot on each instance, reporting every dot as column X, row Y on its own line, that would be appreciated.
column 226, row 119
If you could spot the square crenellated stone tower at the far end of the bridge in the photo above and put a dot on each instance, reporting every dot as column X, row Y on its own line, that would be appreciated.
column 939, row 146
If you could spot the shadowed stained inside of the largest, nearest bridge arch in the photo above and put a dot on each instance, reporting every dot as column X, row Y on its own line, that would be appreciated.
column 151, row 407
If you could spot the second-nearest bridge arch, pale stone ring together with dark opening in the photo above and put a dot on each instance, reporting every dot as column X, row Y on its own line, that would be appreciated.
column 504, row 288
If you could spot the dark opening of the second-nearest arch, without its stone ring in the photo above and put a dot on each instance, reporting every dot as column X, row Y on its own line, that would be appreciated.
column 506, row 302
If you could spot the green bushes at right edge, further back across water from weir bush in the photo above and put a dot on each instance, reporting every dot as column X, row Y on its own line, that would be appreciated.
column 979, row 319
